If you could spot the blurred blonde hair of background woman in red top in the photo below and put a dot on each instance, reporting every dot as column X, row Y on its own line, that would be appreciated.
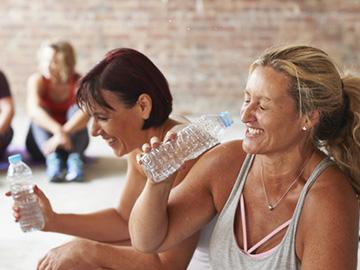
column 65, row 55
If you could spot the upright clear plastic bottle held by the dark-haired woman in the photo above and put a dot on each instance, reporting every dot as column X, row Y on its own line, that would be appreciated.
column 19, row 176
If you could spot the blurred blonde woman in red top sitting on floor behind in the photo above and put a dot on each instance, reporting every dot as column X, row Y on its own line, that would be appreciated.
column 58, row 130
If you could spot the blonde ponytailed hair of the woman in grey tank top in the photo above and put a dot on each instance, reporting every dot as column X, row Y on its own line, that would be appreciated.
column 317, row 84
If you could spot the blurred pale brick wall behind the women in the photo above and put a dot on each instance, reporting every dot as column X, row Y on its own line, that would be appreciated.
column 203, row 47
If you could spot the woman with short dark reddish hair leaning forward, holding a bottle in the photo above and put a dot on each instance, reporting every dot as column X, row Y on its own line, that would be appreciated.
column 130, row 101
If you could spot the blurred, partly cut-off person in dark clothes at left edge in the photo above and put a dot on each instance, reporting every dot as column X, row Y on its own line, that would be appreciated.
column 7, row 111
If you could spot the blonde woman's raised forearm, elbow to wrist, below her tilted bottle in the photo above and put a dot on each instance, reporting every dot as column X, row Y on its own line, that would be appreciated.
column 148, row 222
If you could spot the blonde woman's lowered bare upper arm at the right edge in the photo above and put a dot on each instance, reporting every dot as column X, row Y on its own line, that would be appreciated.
column 328, row 229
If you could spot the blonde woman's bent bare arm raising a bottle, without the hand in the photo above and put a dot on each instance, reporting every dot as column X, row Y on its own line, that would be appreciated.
column 173, row 216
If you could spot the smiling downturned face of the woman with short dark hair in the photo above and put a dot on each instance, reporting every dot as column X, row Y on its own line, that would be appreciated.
column 121, row 128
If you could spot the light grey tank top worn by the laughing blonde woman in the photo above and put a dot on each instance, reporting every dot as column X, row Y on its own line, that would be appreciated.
column 225, row 253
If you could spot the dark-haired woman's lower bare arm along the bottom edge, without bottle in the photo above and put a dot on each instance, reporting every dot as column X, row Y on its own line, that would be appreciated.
column 83, row 254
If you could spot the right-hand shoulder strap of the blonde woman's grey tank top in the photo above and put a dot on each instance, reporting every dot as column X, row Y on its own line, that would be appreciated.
column 323, row 164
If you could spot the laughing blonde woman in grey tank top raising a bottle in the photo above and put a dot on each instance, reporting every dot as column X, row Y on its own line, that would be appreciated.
column 286, row 195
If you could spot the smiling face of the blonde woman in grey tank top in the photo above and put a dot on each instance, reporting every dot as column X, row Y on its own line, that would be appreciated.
column 269, row 113
